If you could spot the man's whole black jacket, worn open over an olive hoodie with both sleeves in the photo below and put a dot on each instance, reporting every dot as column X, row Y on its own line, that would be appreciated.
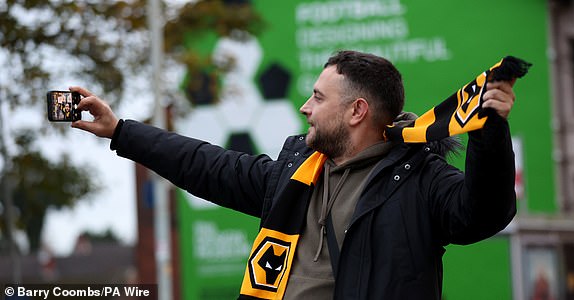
column 413, row 205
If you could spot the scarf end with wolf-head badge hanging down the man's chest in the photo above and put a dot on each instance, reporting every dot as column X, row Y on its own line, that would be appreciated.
column 273, row 250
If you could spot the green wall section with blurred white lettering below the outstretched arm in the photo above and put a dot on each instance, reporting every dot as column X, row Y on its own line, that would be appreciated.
column 215, row 243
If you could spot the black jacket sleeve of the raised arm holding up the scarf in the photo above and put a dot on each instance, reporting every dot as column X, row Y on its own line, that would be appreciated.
column 478, row 203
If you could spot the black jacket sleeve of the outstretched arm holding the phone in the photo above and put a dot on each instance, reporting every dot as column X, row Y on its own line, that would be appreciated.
column 228, row 178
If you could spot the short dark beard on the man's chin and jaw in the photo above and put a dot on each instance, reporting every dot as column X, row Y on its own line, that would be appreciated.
column 333, row 143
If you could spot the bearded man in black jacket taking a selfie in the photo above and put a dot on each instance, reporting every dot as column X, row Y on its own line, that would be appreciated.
column 344, row 213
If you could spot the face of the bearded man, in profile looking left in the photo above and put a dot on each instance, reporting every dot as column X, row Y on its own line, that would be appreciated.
column 325, row 114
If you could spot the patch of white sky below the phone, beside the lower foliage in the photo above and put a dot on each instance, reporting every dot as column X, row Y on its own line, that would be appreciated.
column 112, row 208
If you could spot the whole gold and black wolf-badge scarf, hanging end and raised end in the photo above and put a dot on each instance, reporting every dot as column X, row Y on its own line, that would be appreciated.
column 273, row 250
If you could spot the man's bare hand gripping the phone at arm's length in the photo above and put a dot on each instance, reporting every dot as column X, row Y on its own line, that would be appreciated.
column 105, row 121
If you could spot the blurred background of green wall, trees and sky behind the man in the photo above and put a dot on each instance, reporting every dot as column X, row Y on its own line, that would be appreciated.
column 234, row 73
